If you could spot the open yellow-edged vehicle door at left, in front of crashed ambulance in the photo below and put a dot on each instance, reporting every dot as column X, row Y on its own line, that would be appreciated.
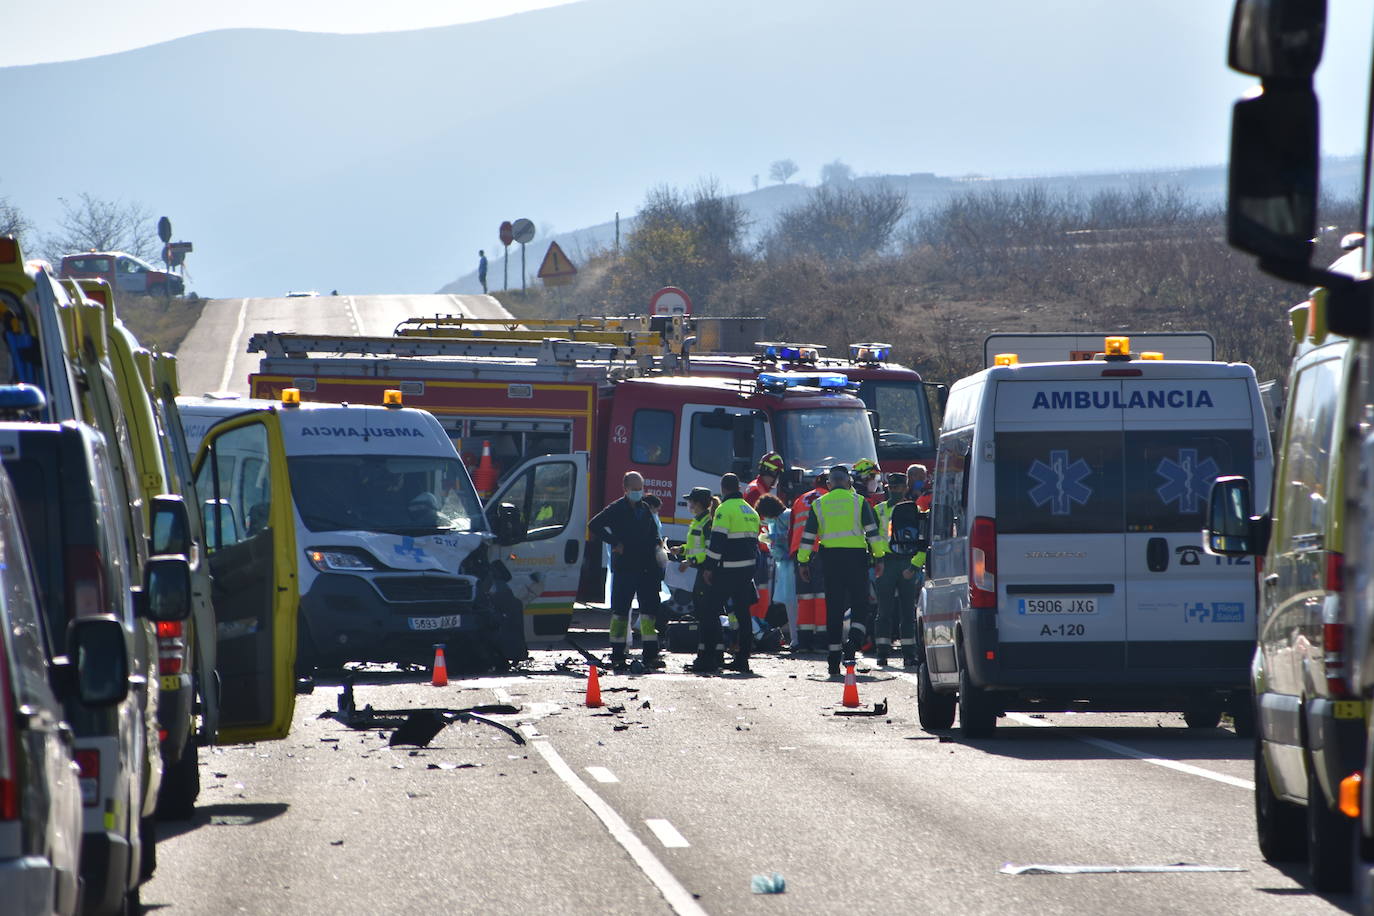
column 251, row 538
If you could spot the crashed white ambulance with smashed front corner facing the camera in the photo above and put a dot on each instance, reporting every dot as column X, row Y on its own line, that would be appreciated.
column 390, row 539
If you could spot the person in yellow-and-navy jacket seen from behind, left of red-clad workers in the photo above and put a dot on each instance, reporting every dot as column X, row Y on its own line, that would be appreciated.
column 732, row 556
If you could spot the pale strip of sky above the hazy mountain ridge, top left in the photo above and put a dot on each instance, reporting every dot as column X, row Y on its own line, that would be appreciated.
column 43, row 31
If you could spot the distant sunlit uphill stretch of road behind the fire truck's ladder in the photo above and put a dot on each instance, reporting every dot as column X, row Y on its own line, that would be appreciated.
column 214, row 355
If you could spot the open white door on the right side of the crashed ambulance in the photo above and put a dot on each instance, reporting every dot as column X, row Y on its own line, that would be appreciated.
column 550, row 492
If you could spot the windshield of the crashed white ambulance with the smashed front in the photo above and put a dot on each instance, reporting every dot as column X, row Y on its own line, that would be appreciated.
column 384, row 494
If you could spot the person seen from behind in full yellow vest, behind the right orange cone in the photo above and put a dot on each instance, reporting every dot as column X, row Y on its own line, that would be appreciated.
column 844, row 528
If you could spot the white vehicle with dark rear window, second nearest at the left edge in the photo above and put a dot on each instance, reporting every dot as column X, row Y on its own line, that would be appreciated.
column 68, row 501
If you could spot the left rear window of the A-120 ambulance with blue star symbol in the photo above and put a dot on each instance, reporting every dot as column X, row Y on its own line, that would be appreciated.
column 1060, row 483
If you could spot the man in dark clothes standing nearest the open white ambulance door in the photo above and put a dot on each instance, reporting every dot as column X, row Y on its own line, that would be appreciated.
column 630, row 528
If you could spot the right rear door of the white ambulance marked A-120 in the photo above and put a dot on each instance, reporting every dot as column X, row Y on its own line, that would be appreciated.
column 1185, row 609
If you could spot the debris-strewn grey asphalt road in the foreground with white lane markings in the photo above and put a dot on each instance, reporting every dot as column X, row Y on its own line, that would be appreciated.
column 677, row 801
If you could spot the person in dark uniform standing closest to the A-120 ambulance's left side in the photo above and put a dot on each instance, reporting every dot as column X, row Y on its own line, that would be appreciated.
column 903, row 571
